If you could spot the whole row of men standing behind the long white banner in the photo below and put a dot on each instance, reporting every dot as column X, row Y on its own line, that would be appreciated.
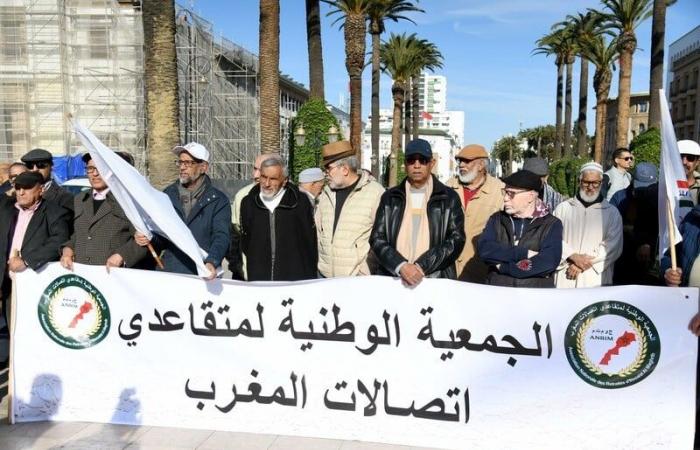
column 338, row 221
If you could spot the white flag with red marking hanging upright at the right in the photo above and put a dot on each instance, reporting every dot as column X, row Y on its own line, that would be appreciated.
column 673, row 184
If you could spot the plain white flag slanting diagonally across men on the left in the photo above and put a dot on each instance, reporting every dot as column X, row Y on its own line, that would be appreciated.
column 148, row 209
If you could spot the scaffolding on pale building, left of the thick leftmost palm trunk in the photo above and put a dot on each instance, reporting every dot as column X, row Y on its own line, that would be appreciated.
column 83, row 57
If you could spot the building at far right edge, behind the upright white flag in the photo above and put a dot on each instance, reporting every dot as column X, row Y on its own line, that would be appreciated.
column 684, row 85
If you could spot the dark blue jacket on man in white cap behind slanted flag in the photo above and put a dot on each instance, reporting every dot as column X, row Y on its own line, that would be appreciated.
column 209, row 222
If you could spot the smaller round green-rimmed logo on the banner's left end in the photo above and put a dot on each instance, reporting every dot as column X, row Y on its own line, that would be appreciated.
column 73, row 313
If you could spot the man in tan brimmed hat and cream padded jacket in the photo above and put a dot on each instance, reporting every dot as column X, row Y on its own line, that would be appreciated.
column 345, row 214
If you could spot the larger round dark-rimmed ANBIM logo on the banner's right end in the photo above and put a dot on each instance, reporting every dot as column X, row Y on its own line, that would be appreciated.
column 612, row 345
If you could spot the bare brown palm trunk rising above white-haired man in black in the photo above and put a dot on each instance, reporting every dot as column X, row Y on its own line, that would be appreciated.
column 269, row 76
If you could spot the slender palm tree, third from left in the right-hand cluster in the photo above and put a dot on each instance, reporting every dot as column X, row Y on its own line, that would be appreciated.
column 584, row 27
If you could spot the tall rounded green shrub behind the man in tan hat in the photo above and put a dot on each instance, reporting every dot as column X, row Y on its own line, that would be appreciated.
column 316, row 120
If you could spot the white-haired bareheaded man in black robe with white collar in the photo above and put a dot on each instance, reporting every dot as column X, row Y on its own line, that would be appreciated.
column 277, row 227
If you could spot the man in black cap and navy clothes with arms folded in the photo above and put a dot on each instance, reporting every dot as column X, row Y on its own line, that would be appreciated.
column 522, row 244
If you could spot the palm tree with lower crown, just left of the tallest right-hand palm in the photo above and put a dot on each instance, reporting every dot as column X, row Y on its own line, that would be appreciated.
column 603, row 56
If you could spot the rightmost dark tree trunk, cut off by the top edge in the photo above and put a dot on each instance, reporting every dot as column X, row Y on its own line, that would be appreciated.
column 656, row 72
